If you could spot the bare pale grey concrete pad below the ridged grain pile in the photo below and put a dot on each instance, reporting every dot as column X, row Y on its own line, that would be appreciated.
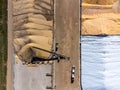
column 31, row 78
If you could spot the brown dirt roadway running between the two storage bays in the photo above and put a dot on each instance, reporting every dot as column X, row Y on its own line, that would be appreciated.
column 67, row 35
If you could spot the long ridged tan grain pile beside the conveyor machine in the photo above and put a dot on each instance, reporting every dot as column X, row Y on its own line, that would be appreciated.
column 32, row 27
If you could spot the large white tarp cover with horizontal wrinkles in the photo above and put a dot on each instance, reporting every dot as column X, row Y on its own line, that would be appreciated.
column 100, row 62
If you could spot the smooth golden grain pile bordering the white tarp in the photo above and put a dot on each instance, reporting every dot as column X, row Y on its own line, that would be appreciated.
column 101, row 19
